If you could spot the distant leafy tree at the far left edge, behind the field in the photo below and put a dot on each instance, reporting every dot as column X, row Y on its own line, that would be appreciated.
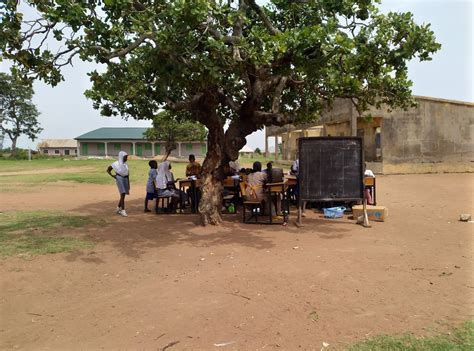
column 18, row 114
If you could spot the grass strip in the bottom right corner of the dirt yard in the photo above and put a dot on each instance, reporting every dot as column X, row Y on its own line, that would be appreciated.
column 461, row 338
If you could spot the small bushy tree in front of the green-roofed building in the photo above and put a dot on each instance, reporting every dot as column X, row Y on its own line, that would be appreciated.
column 168, row 127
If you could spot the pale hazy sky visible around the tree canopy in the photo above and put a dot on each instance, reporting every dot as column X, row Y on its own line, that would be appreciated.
column 66, row 113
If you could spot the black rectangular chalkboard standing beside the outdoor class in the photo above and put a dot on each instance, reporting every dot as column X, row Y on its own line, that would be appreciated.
column 331, row 168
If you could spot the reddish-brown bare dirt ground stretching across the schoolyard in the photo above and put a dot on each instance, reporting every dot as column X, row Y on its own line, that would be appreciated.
column 161, row 282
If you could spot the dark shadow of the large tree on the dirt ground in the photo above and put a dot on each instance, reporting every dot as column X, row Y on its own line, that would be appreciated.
column 139, row 232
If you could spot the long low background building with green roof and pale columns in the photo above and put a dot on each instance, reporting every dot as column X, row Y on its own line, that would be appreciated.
column 105, row 142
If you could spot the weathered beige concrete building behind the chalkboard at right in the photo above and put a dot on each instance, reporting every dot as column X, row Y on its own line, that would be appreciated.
column 435, row 136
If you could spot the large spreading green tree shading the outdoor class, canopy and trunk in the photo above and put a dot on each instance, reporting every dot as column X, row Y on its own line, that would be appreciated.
column 235, row 64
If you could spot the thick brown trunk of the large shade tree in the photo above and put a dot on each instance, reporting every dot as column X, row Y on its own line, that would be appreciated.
column 212, row 175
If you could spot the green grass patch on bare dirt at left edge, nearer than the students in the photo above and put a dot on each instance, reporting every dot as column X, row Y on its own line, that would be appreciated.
column 27, row 233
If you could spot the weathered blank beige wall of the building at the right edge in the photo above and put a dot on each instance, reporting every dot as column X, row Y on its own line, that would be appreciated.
column 436, row 136
